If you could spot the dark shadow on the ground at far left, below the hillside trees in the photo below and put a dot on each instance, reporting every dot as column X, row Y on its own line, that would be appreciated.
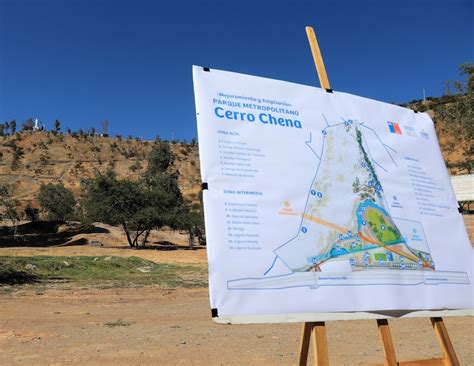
column 46, row 234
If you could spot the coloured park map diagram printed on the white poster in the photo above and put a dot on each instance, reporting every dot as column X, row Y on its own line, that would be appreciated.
column 347, row 235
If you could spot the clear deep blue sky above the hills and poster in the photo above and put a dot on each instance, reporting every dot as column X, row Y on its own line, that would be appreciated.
column 130, row 61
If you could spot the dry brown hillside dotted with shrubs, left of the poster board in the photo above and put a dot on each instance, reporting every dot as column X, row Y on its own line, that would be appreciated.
column 28, row 159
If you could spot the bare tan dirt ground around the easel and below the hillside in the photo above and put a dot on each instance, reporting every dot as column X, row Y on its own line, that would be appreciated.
column 61, row 325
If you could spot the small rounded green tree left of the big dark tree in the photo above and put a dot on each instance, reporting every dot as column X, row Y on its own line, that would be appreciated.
column 57, row 201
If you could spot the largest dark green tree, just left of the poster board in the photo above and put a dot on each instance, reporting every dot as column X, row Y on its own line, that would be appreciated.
column 139, row 207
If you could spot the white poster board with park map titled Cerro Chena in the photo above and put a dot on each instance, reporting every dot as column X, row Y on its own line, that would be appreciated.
column 323, row 202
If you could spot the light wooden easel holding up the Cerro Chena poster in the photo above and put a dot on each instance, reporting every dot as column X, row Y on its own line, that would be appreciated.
column 318, row 329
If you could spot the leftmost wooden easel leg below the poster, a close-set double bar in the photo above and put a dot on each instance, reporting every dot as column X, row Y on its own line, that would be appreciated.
column 320, row 344
